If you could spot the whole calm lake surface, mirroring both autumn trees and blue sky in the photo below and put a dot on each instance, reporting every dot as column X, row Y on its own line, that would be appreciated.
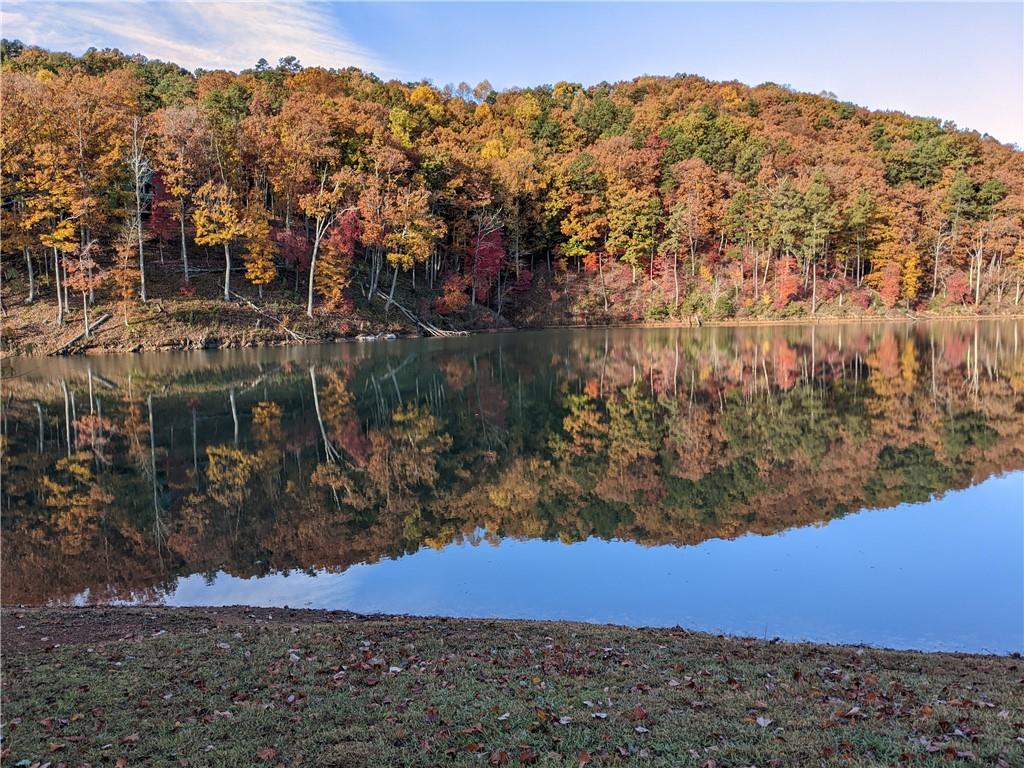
column 847, row 484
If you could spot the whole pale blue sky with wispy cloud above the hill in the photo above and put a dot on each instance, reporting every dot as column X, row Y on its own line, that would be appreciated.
column 959, row 61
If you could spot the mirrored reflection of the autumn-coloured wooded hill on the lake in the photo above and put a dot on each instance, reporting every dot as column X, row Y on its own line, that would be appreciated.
column 122, row 475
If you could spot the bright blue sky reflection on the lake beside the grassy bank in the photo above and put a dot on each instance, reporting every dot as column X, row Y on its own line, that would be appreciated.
column 944, row 576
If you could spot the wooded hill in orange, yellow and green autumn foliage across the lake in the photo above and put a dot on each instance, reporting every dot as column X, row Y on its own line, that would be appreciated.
column 322, row 193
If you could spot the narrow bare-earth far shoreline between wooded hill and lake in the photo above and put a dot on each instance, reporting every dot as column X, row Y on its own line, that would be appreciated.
column 248, row 338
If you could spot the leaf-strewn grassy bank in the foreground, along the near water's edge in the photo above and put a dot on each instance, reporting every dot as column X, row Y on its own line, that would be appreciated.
column 242, row 687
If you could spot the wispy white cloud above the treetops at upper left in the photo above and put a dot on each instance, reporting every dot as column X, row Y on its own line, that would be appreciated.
column 210, row 34
